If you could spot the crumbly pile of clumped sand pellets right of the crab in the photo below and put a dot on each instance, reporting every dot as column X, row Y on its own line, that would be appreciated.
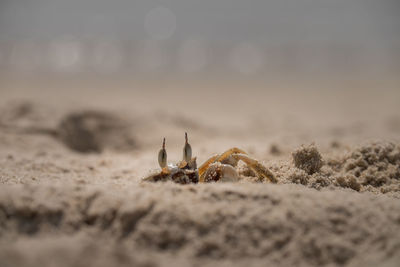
column 373, row 167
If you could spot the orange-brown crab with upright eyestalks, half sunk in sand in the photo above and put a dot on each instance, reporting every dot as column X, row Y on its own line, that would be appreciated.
column 218, row 168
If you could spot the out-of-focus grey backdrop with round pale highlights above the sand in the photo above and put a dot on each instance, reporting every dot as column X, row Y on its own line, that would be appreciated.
column 305, row 37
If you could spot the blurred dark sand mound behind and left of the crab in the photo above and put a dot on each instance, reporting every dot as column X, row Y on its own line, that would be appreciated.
column 82, row 131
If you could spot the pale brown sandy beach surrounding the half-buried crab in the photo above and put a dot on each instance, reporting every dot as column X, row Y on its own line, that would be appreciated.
column 72, row 159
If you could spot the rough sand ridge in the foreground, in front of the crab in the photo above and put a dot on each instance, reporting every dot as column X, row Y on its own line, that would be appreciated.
column 280, row 224
